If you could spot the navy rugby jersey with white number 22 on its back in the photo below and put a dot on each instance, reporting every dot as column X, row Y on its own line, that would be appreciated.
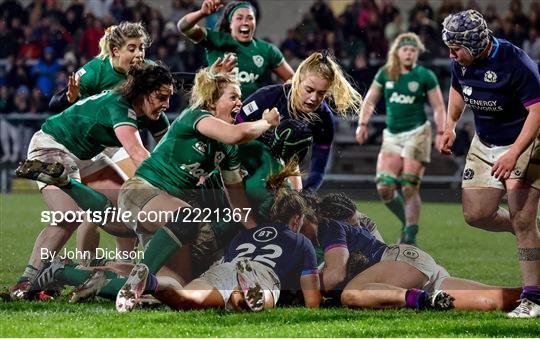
column 289, row 254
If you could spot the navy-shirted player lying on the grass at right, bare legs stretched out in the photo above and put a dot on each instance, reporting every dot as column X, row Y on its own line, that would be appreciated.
column 375, row 275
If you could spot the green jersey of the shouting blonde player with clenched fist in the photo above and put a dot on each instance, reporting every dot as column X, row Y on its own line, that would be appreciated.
column 184, row 155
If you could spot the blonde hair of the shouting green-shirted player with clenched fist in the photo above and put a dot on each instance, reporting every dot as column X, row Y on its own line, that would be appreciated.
column 209, row 87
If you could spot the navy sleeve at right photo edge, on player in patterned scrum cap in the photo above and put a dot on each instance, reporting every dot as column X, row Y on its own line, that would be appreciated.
column 526, row 79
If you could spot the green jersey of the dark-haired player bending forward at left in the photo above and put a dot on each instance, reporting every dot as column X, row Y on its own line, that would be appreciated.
column 87, row 127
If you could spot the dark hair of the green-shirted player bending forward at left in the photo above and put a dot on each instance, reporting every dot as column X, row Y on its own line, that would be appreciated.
column 143, row 79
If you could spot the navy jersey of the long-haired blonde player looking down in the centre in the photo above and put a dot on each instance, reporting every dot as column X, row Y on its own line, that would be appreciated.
column 276, row 96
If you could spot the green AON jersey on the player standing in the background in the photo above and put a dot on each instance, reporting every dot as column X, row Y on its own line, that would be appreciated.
column 405, row 98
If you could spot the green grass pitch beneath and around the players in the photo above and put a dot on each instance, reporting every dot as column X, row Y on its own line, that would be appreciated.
column 464, row 251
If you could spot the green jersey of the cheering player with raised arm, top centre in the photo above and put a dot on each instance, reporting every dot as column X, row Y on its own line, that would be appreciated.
column 254, row 58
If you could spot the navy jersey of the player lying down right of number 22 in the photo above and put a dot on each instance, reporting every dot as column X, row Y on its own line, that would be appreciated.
column 335, row 234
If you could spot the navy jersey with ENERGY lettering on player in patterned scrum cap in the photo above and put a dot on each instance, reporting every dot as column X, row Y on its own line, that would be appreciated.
column 498, row 89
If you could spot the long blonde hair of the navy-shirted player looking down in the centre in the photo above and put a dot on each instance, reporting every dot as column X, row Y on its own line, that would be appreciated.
column 343, row 94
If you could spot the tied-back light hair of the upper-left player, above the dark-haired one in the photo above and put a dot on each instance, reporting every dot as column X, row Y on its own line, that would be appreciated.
column 117, row 35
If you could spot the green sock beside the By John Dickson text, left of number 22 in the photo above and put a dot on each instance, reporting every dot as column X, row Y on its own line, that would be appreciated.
column 159, row 249
